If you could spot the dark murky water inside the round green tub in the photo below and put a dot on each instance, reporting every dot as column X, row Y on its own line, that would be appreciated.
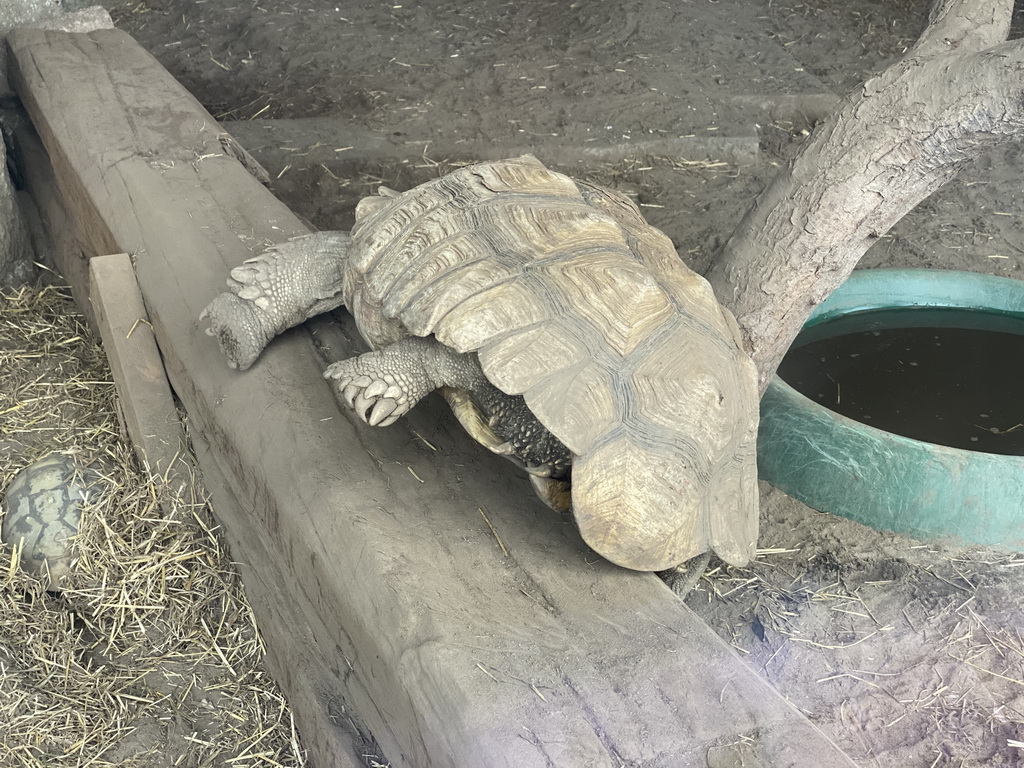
column 947, row 376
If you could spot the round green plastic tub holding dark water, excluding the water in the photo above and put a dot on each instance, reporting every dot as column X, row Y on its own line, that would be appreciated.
column 838, row 465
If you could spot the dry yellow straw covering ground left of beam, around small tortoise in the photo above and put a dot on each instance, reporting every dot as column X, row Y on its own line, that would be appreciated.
column 150, row 657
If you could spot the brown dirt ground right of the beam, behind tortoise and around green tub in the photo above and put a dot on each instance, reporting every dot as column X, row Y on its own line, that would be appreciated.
column 907, row 653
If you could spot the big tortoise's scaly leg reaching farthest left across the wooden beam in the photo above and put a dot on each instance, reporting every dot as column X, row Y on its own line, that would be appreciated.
column 283, row 287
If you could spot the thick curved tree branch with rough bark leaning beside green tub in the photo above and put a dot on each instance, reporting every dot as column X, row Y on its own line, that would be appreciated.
column 894, row 142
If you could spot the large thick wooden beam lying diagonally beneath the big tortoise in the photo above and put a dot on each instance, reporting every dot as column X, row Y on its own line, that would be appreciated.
column 413, row 621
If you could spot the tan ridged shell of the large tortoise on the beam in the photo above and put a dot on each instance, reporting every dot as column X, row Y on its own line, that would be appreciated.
column 571, row 300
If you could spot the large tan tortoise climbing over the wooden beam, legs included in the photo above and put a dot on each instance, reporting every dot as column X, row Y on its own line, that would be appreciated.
column 564, row 330
